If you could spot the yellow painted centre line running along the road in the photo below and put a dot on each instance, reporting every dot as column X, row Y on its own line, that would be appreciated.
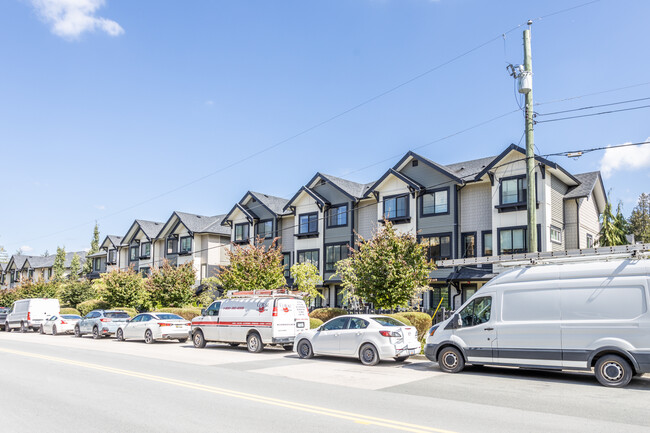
column 350, row 416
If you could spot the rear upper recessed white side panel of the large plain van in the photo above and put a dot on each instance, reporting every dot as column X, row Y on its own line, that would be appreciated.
column 613, row 303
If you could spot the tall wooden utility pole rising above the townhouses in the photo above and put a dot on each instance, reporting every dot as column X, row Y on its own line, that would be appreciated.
column 526, row 87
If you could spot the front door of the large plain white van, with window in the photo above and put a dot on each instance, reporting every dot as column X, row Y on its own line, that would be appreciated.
column 477, row 330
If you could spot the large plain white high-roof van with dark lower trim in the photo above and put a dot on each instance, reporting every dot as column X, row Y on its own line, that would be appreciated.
column 574, row 316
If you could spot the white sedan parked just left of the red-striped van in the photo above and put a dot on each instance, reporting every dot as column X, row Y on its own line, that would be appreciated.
column 154, row 326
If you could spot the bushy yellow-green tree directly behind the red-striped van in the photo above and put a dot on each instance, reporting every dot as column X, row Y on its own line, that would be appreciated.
column 253, row 267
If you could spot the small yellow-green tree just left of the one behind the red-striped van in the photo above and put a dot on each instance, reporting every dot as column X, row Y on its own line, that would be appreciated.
column 171, row 286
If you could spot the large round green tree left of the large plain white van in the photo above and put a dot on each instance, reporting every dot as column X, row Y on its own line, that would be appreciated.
column 388, row 270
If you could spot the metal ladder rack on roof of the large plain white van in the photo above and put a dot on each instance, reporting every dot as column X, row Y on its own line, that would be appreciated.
column 636, row 251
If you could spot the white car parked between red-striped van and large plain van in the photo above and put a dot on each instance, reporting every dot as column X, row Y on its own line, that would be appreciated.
column 369, row 337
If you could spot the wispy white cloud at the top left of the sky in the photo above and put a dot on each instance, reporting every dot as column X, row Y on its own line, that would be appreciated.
column 71, row 18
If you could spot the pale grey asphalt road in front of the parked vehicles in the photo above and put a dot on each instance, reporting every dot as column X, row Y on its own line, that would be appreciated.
column 66, row 384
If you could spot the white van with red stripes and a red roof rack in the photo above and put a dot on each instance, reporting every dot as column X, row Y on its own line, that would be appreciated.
column 255, row 321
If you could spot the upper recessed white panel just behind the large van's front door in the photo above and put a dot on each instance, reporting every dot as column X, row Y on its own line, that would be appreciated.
column 524, row 305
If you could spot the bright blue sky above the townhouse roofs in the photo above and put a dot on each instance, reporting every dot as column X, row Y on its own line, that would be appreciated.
column 112, row 110
